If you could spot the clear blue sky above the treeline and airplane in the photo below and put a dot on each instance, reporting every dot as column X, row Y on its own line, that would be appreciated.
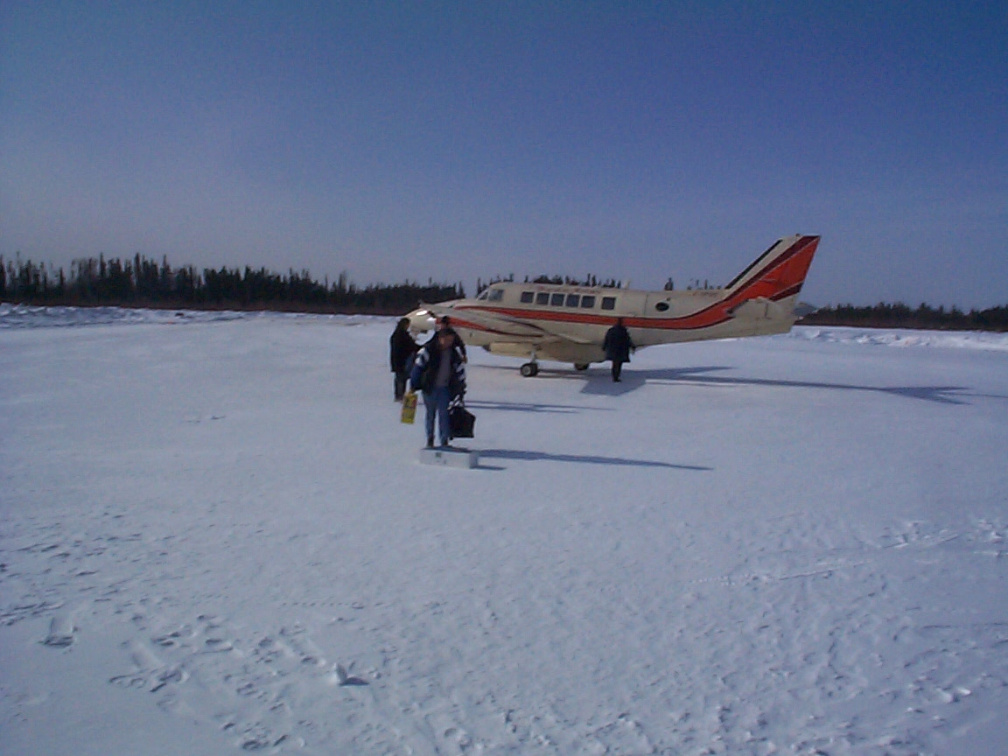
column 636, row 141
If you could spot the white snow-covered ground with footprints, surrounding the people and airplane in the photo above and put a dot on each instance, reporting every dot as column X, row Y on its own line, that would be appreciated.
column 215, row 536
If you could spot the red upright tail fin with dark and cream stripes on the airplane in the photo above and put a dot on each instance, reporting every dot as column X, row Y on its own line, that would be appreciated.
column 778, row 275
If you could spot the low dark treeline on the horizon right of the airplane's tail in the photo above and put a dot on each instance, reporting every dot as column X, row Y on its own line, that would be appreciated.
column 904, row 317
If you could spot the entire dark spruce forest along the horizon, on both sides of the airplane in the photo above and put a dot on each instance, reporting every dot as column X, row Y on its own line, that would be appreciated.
column 141, row 283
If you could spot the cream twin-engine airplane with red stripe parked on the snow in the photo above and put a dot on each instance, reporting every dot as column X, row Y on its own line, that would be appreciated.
column 568, row 323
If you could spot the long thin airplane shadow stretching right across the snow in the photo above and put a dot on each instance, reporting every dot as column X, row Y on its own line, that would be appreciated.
column 636, row 380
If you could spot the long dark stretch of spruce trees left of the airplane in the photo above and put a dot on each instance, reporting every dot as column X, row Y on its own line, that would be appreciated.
column 141, row 283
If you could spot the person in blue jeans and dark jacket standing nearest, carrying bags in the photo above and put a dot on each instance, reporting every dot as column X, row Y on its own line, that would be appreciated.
column 439, row 372
